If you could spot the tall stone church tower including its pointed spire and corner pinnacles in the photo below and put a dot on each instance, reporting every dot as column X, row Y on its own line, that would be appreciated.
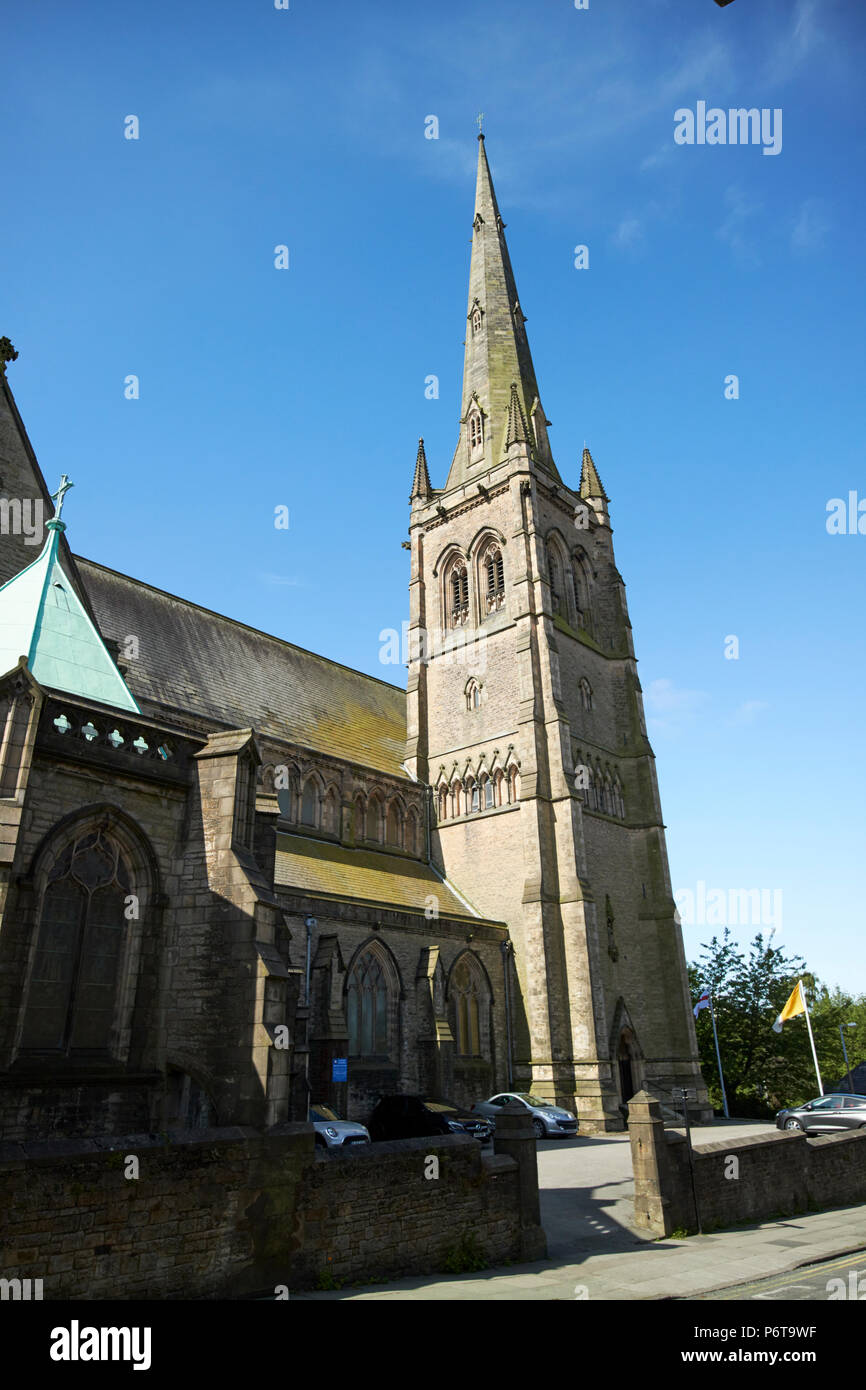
column 526, row 719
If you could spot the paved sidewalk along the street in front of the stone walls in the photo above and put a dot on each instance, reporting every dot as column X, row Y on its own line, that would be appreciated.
column 651, row 1270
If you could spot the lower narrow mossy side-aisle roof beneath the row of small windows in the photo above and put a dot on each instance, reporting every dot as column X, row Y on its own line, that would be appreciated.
column 327, row 871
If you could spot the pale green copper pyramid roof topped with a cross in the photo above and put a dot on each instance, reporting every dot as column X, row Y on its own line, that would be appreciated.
column 44, row 619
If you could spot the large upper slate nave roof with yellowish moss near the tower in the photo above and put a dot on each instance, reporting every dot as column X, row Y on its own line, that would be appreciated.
column 197, row 662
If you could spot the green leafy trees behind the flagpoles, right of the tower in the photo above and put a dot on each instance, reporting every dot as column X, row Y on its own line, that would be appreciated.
column 764, row 1070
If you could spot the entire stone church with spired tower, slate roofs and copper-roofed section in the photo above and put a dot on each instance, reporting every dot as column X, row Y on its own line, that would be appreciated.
column 237, row 876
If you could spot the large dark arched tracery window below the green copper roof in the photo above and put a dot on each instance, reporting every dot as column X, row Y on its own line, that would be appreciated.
column 83, row 926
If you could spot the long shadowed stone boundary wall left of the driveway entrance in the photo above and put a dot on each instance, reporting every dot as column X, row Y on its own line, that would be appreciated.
column 222, row 1214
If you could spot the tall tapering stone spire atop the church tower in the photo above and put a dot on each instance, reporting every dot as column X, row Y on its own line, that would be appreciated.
column 498, row 365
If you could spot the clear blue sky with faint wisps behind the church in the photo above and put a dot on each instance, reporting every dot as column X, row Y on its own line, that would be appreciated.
column 305, row 387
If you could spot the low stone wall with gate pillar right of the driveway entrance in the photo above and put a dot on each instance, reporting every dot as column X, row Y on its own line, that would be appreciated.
column 750, row 1179
